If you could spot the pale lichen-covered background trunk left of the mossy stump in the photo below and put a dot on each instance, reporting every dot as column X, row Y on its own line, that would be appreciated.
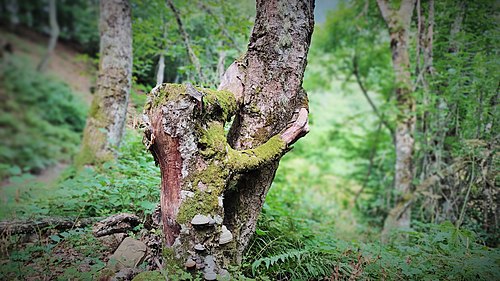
column 107, row 114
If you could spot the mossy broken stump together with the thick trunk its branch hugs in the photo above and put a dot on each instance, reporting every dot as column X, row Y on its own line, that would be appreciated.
column 213, row 185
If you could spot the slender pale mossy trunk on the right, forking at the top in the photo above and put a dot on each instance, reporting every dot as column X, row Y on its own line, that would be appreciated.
column 398, row 22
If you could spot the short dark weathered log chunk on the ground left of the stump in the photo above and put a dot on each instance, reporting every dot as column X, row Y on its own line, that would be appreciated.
column 118, row 223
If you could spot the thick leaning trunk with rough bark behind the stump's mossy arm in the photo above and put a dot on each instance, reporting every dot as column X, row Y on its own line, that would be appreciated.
column 269, row 80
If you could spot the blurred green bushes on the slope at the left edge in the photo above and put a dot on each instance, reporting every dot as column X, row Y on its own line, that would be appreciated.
column 40, row 119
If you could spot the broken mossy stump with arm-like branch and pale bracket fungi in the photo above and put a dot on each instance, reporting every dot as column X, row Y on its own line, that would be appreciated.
column 184, row 130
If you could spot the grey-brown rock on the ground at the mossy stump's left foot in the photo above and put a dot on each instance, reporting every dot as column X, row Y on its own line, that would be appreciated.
column 129, row 254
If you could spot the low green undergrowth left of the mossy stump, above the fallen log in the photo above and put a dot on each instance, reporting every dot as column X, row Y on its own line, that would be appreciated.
column 129, row 184
